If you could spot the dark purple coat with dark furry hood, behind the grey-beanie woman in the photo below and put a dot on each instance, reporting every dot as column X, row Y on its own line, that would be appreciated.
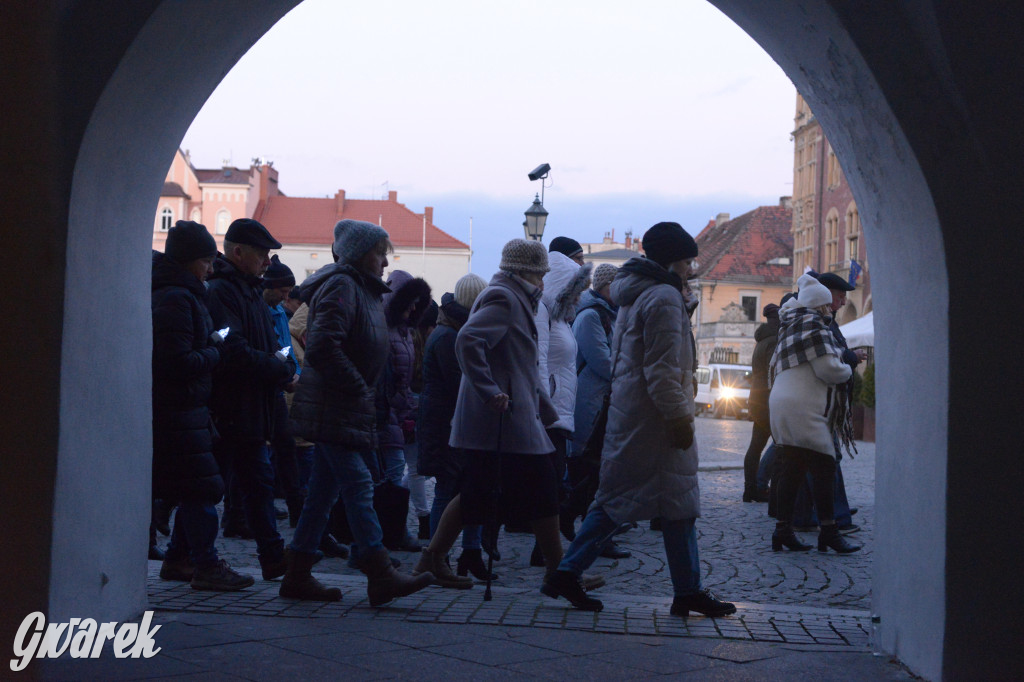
column 397, row 405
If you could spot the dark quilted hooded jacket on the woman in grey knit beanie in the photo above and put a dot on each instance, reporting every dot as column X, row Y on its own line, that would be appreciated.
column 347, row 352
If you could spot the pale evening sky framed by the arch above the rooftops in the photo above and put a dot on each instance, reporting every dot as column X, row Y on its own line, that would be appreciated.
column 647, row 111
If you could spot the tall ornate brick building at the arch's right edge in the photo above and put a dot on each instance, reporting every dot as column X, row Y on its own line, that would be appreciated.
column 827, row 230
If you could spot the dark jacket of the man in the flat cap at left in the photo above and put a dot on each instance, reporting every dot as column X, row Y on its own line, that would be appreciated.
column 247, row 383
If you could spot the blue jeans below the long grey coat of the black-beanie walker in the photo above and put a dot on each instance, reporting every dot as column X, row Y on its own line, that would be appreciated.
column 680, row 549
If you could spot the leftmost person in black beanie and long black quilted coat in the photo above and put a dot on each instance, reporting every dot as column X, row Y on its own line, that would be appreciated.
column 185, row 355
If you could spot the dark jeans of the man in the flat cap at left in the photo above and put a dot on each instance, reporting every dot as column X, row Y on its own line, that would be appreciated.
column 246, row 467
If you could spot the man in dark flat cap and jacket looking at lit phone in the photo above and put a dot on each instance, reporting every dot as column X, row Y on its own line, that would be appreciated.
column 245, row 389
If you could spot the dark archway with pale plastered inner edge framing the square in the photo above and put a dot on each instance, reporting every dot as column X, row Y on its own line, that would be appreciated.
column 899, row 91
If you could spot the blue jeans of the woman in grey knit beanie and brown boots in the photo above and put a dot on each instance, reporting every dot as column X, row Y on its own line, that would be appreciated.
column 338, row 471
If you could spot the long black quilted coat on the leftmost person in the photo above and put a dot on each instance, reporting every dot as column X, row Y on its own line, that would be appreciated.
column 184, row 360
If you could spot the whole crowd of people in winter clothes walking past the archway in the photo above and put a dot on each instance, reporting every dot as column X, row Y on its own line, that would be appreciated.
column 556, row 400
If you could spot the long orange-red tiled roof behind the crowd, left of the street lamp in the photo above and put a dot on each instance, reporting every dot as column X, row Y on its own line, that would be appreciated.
column 309, row 221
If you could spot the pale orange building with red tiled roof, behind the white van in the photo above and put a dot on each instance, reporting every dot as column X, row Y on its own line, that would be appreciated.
column 745, row 264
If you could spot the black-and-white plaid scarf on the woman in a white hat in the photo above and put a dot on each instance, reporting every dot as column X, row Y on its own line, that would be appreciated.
column 804, row 335
